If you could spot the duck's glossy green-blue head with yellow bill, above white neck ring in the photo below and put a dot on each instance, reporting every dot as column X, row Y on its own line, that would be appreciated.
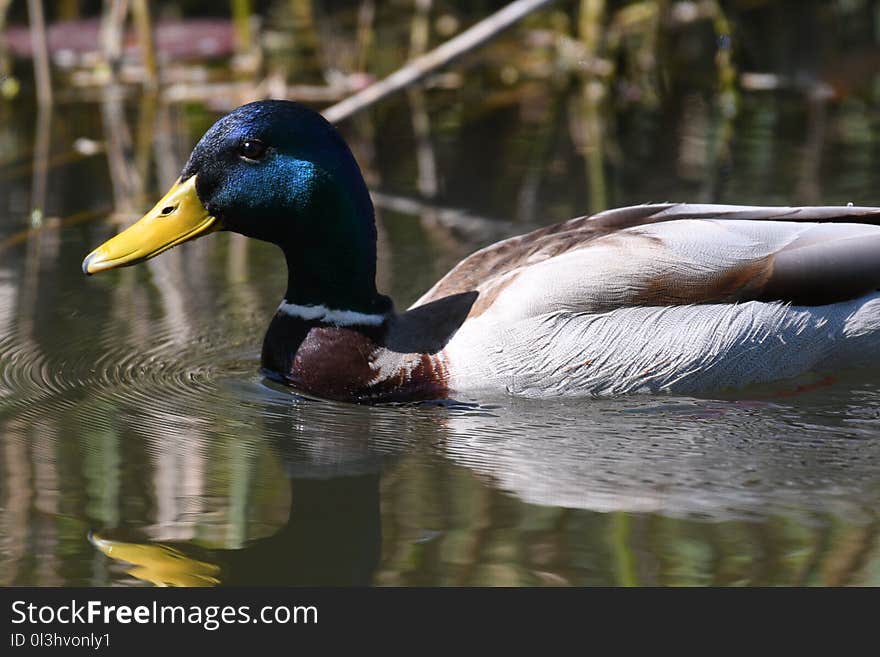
column 275, row 171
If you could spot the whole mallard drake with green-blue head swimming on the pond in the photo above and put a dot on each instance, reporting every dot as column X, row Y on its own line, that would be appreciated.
column 663, row 297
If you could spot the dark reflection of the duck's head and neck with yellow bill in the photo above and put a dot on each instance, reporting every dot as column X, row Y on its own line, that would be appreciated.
column 332, row 535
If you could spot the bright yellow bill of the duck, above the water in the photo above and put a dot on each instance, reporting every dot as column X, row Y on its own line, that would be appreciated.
column 177, row 218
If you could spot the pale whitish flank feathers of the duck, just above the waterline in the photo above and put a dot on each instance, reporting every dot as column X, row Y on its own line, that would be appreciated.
column 684, row 350
